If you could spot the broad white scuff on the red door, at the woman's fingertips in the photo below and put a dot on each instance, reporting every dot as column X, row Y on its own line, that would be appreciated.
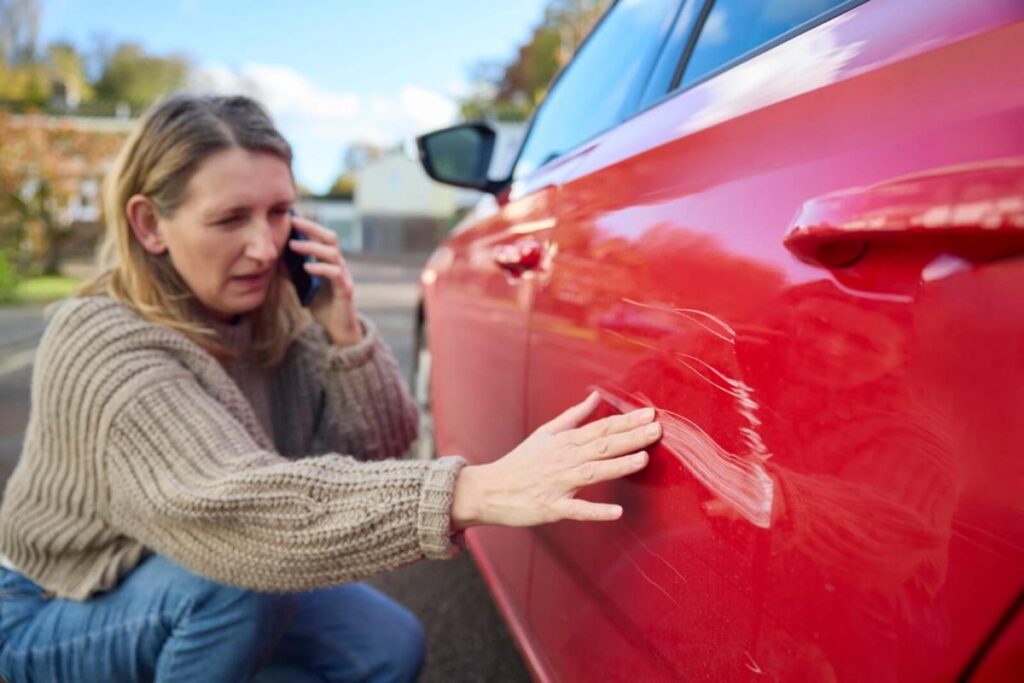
column 741, row 483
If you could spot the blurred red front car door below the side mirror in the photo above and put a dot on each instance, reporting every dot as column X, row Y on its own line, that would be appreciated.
column 477, row 307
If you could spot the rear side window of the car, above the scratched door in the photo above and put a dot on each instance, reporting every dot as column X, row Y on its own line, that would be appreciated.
column 737, row 27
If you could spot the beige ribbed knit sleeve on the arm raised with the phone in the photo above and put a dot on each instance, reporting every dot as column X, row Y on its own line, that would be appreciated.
column 365, row 408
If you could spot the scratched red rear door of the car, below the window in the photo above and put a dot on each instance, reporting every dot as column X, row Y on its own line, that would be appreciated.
column 836, row 497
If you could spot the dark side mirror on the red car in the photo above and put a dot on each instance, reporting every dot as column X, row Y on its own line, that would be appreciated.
column 460, row 156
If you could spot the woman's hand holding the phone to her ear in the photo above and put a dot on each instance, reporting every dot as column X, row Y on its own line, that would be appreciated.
column 334, row 307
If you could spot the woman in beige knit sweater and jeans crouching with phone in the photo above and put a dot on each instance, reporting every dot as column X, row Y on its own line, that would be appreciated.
column 164, row 522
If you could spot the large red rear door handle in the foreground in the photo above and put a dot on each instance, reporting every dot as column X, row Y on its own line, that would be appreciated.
column 974, row 210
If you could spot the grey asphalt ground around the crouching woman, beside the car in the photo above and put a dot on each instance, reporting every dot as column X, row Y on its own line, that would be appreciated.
column 467, row 638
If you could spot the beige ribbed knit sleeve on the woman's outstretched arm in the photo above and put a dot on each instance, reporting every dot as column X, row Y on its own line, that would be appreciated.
column 188, row 481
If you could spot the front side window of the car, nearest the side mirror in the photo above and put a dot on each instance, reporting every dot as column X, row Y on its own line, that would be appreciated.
column 603, row 82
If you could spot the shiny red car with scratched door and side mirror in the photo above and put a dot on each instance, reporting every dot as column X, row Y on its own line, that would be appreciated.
column 796, row 229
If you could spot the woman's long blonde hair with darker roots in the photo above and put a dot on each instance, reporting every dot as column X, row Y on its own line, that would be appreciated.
column 158, row 160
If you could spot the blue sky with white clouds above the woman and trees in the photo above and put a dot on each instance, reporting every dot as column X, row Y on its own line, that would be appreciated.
column 331, row 72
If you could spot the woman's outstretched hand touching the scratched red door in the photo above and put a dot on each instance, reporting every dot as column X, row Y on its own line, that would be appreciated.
column 537, row 483
